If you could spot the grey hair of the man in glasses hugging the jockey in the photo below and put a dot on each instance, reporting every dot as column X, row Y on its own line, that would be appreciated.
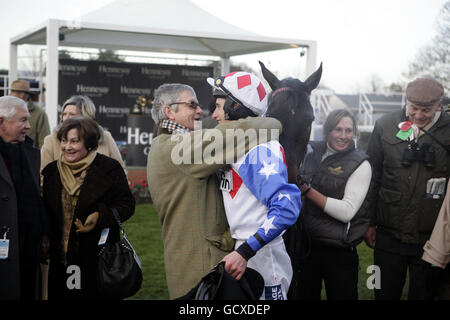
column 165, row 95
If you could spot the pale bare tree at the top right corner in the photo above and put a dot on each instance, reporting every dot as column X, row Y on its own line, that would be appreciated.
column 434, row 59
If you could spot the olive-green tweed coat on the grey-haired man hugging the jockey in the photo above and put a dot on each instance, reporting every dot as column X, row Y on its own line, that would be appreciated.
column 189, row 202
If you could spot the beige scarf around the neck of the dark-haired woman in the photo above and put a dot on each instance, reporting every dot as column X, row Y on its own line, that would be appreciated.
column 69, row 170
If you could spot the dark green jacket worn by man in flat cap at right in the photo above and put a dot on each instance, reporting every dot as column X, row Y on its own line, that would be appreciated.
column 398, row 202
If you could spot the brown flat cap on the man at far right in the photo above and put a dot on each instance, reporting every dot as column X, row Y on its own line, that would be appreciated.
column 424, row 91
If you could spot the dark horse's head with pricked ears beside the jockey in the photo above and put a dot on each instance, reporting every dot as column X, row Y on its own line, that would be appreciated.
column 289, row 102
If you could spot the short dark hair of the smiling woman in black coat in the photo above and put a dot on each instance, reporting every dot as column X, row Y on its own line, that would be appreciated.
column 88, row 130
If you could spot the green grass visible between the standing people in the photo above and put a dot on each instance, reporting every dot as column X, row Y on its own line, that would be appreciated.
column 144, row 232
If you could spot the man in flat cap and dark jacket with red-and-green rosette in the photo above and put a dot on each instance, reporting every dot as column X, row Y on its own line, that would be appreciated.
column 410, row 166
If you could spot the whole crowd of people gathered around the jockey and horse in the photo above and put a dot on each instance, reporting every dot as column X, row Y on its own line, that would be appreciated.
column 57, row 192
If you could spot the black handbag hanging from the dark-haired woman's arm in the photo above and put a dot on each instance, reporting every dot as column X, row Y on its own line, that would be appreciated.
column 119, row 273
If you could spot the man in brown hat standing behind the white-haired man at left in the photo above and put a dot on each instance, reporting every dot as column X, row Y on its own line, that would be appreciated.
column 40, row 127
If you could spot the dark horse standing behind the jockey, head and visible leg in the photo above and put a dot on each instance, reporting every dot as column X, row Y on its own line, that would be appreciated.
column 289, row 103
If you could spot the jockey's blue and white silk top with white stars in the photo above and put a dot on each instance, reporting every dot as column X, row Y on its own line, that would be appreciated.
column 261, row 203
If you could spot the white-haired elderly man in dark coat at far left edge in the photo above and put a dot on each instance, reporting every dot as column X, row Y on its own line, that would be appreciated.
column 22, row 215
